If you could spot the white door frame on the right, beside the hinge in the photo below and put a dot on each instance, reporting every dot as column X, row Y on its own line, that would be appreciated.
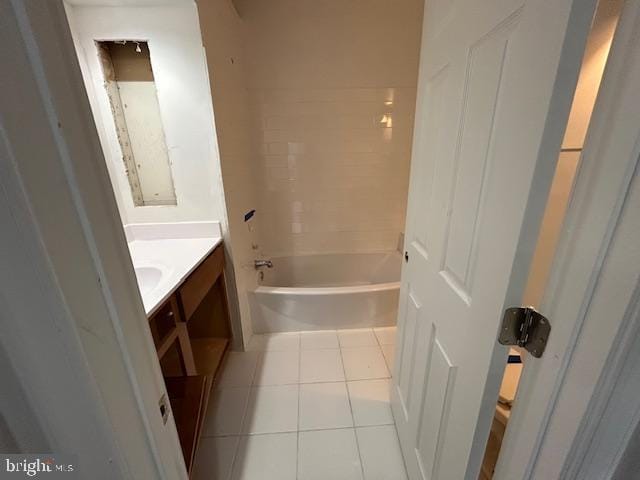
column 556, row 418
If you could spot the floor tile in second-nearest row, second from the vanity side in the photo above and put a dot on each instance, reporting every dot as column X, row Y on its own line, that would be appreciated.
column 272, row 409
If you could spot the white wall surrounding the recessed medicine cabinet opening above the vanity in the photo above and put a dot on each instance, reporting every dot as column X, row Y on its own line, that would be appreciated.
column 180, row 75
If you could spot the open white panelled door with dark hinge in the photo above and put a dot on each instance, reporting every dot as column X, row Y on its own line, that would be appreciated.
column 486, row 140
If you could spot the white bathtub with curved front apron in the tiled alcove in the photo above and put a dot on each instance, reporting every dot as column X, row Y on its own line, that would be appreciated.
column 320, row 292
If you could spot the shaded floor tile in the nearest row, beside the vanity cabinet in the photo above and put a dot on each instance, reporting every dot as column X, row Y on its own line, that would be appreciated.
column 215, row 458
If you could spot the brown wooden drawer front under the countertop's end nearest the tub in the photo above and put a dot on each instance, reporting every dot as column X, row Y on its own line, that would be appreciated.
column 194, row 289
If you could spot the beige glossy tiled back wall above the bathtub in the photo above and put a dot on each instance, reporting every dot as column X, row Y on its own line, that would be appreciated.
column 332, row 92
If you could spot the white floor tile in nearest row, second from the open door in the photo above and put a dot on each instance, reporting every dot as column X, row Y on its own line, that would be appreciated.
column 328, row 455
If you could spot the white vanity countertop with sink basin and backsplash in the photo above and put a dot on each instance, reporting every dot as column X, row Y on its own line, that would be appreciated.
column 162, row 263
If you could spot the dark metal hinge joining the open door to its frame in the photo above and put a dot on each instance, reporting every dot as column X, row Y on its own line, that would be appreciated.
column 524, row 327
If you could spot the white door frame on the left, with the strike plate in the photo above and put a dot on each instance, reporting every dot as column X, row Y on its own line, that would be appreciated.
column 75, row 339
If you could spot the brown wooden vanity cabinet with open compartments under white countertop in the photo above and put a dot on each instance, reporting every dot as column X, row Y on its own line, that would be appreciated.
column 191, row 333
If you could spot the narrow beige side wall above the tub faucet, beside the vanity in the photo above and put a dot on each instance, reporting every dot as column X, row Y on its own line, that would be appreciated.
column 223, row 40
